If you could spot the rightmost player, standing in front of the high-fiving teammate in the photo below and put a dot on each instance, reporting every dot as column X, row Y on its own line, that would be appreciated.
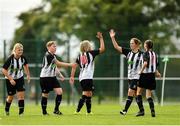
column 147, row 77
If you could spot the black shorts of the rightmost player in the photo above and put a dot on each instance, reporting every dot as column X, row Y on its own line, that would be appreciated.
column 147, row 81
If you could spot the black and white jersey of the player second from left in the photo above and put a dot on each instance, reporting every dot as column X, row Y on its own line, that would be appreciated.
column 48, row 65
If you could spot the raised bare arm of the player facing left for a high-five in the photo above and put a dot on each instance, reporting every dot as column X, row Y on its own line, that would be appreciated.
column 116, row 46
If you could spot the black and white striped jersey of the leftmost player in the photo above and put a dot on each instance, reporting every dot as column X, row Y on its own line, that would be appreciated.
column 15, row 66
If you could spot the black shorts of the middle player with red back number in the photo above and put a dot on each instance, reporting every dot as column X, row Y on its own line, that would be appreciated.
column 87, row 85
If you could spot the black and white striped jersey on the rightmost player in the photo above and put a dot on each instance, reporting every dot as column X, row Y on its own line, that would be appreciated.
column 152, row 61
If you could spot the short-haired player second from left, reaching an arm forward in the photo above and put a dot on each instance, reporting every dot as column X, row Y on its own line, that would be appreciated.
column 48, row 80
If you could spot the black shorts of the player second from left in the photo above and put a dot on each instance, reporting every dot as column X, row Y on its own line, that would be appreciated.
column 48, row 84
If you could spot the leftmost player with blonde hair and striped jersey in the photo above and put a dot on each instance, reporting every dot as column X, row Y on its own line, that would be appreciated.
column 13, row 72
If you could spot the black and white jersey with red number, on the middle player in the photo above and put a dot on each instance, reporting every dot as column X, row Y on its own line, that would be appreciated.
column 86, row 64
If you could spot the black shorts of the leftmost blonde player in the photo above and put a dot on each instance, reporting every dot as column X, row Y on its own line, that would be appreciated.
column 11, row 89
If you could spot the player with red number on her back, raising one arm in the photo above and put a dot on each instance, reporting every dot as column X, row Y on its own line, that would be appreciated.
column 85, row 61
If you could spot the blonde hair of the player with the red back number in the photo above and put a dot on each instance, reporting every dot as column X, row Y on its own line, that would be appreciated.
column 85, row 46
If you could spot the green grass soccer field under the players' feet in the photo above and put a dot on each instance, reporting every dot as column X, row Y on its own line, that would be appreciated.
column 103, row 115
